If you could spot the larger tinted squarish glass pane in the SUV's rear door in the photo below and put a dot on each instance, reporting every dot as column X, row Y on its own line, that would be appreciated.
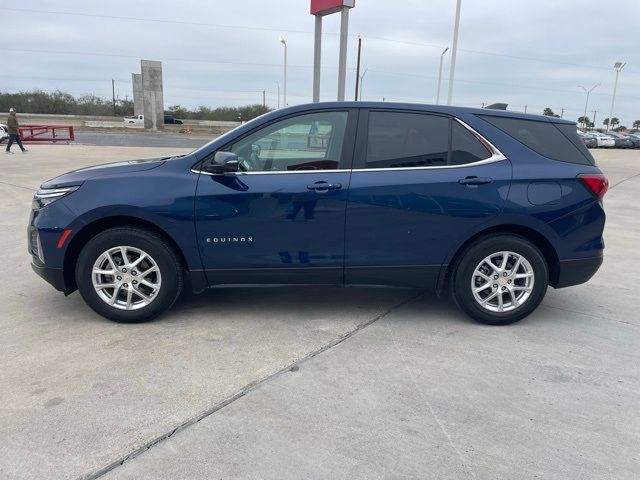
column 398, row 140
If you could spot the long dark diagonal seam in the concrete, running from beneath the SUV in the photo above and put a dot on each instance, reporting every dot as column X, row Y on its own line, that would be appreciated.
column 248, row 388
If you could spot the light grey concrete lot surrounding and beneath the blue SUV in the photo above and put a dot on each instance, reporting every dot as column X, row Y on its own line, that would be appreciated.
column 318, row 383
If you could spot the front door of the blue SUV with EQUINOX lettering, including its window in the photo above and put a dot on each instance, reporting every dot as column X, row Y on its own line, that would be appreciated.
column 281, row 218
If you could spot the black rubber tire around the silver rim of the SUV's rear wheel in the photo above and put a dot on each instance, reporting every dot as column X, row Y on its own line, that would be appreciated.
column 465, row 267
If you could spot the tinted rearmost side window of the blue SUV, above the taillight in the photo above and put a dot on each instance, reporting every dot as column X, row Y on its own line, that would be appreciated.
column 555, row 141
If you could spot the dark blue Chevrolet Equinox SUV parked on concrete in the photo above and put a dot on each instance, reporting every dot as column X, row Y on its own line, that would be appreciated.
column 491, row 206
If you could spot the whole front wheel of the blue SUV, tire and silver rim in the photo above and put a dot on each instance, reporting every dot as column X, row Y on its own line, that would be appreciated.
column 129, row 274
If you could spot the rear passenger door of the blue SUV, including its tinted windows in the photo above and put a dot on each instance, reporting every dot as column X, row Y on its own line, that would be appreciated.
column 421, row 183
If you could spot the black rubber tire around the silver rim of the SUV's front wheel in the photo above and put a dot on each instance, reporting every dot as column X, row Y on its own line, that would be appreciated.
column 165, row 257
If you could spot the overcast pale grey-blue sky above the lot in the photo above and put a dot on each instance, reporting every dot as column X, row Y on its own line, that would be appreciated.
column 529, row 54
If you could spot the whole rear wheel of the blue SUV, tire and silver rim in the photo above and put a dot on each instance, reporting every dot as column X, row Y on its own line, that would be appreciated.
column 500, row 279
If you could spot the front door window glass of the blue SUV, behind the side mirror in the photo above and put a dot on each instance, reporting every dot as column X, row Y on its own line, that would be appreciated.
column 312, row 141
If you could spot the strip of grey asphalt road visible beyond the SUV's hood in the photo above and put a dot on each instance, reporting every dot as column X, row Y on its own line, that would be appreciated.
column 150, row 140
